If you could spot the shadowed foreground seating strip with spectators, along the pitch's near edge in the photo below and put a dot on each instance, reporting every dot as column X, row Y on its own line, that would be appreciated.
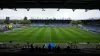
column 57, row 48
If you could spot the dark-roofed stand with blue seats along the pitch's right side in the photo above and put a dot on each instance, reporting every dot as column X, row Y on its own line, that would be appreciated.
column 91, row 25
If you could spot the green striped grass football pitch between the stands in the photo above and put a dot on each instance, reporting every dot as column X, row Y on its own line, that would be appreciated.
column 49, row 34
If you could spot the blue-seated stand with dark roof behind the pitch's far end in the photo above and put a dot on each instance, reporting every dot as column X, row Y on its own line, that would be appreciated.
column 50, row 22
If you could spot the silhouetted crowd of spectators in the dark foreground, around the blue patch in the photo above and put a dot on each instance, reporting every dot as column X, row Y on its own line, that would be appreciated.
column 55, row 49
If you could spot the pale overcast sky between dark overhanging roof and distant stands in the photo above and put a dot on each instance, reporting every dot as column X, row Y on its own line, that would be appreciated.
column 50, row 13
